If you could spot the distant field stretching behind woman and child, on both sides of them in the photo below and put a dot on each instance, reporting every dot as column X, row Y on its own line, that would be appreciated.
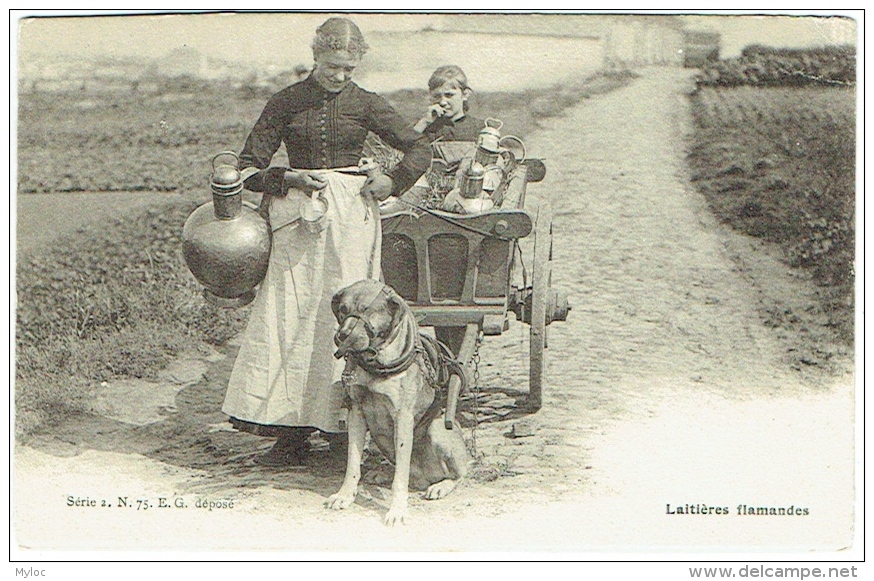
column 140, row 142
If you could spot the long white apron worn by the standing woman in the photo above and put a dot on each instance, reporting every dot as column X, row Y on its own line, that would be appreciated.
column 285, row 373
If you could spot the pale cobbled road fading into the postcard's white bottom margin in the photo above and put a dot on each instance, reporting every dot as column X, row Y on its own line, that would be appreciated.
column 664, row 389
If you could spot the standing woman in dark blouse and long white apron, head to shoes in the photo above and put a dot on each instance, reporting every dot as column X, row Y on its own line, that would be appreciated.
column 285, row 381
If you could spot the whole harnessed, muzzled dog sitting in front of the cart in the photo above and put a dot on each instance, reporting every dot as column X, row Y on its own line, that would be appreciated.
column 392, row 378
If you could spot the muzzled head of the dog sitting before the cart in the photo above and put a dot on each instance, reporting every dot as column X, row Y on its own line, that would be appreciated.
column 367, row 312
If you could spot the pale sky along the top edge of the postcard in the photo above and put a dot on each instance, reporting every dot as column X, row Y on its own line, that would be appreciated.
column 240, row 37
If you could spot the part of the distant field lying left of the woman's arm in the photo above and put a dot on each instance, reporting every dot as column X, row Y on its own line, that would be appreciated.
column 100, row 142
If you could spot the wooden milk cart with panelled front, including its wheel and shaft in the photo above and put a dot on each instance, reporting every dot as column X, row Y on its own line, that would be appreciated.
column 464, row 274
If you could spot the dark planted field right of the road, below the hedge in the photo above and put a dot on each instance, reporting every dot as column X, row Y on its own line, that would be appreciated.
column 779, row 163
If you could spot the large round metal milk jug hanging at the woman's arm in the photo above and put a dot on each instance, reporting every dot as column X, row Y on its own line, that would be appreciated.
column 226, row 243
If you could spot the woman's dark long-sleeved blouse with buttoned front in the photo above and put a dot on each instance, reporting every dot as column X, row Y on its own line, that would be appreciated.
column 323, row 130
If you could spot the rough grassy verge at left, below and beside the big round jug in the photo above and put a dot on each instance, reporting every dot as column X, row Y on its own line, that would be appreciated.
column 113, row 301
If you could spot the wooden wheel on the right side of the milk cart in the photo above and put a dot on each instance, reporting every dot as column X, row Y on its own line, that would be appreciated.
column 541, row 277
